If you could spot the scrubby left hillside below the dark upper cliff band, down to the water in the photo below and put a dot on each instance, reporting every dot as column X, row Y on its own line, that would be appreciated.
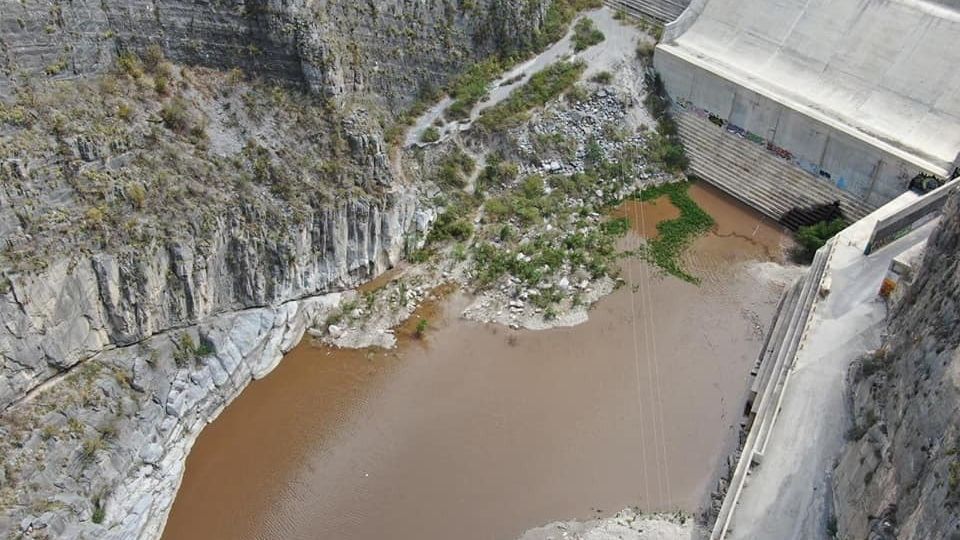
column 155, row 261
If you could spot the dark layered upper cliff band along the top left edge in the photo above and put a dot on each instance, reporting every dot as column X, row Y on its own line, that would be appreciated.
column 388, row 49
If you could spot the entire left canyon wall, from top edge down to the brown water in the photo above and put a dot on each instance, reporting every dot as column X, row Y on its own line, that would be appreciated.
column 169, row 228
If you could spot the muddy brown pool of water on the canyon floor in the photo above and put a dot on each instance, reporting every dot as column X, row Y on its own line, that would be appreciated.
column 480, row 432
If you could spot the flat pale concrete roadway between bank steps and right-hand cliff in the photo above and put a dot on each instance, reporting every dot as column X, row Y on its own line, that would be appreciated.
column 787, row 496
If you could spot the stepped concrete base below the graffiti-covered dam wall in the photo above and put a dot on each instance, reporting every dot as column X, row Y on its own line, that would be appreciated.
column 750, row 173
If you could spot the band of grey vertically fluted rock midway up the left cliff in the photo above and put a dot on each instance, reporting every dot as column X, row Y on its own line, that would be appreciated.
column 79, row 306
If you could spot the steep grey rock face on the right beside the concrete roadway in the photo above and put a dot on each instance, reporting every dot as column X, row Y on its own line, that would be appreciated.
column 899, row 476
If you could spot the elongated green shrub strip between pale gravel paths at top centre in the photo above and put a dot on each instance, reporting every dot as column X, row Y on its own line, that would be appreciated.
column 541, row 88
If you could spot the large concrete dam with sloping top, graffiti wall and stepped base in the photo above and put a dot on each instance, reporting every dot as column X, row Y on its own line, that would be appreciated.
column 816, row 102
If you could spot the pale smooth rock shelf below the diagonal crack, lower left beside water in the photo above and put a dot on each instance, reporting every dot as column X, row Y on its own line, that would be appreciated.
column 104, row 448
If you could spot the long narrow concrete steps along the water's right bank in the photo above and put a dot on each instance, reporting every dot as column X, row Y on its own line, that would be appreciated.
column 783, row 341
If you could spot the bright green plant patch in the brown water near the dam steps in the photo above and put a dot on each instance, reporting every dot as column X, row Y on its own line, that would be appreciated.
column 676, row 234
